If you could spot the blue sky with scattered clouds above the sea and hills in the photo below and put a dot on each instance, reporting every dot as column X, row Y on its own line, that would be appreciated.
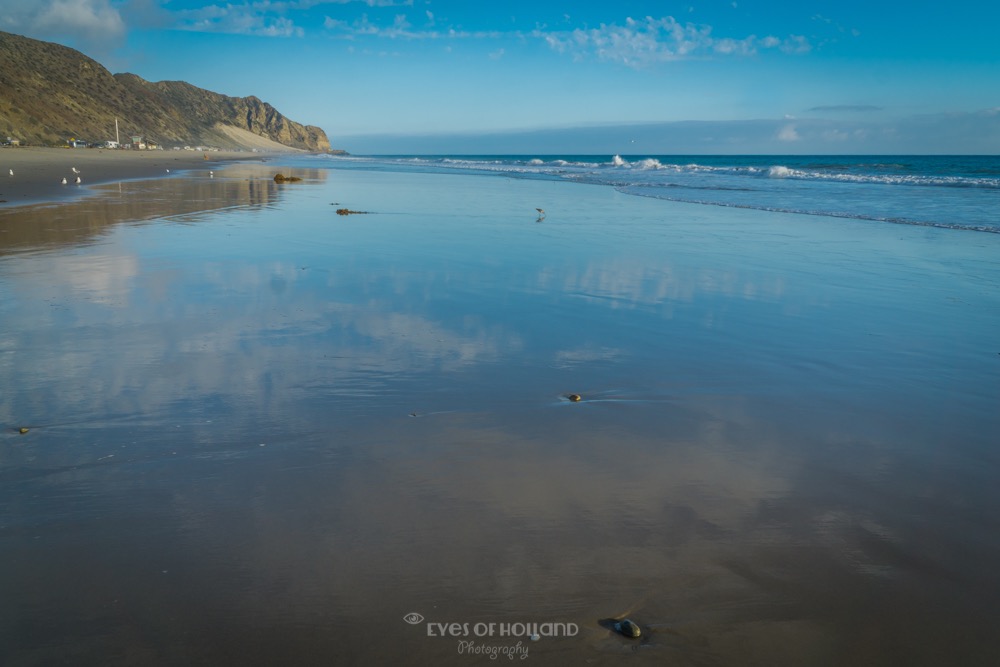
column 444, row 76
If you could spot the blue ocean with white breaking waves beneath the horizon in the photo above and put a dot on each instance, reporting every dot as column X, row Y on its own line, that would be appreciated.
column 953, row 192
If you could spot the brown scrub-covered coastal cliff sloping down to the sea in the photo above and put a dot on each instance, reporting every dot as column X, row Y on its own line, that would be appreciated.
column 50, row 93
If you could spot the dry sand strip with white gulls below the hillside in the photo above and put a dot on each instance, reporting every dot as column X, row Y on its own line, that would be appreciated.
column 31, row 175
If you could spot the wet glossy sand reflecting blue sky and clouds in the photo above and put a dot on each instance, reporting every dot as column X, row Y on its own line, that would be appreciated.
column 260, row 432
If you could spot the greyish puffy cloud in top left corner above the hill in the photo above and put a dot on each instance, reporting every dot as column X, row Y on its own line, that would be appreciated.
column 93, row 24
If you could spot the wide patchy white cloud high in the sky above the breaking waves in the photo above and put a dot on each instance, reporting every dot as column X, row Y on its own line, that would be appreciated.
column 641, row 42
